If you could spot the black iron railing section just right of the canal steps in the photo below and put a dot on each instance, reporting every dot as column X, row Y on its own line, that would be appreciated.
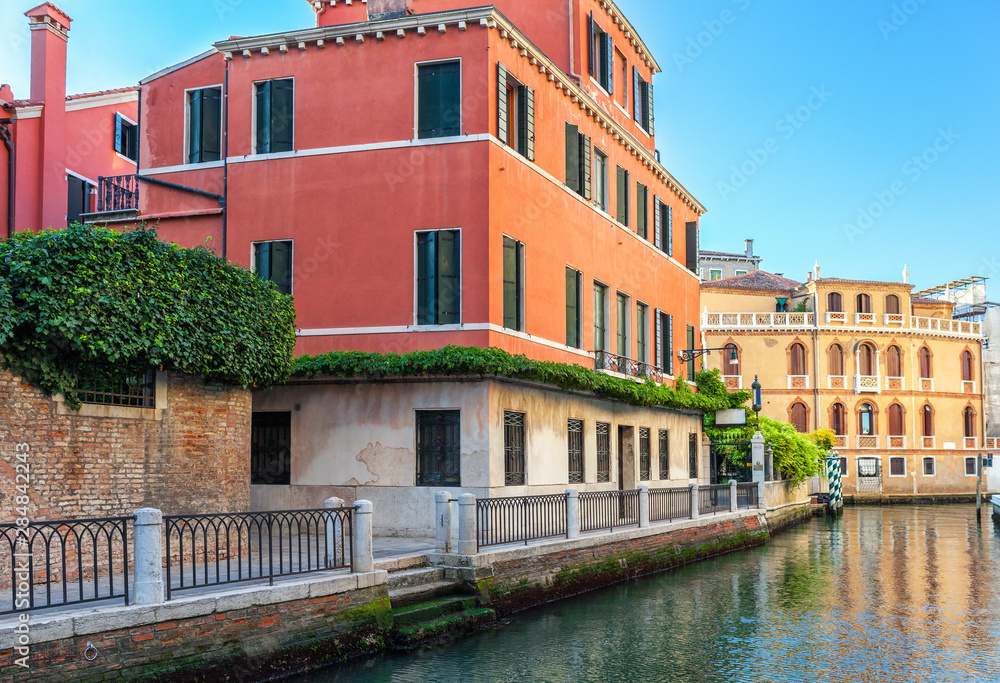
column 520, row 519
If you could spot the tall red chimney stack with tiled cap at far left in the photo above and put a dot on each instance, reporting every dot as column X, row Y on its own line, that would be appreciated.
column 49, row 32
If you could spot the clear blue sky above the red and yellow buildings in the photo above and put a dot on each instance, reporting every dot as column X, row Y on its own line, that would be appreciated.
column 861, row 133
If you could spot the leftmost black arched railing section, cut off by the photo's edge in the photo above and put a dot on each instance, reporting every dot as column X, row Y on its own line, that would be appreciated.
column 64, row 562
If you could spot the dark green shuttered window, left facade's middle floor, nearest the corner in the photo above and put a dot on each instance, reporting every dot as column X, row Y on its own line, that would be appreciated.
column 439, row 256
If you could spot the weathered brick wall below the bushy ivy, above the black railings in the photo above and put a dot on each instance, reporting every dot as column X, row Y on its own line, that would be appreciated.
column 196, row 459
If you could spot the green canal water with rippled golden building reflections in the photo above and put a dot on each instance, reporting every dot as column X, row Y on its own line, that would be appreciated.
column 881, row 594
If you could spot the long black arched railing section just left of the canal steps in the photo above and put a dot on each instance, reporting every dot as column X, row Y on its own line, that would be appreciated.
column 216, row 549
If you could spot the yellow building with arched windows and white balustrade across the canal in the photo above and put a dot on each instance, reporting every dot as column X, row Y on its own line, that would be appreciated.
column 896, row 378
